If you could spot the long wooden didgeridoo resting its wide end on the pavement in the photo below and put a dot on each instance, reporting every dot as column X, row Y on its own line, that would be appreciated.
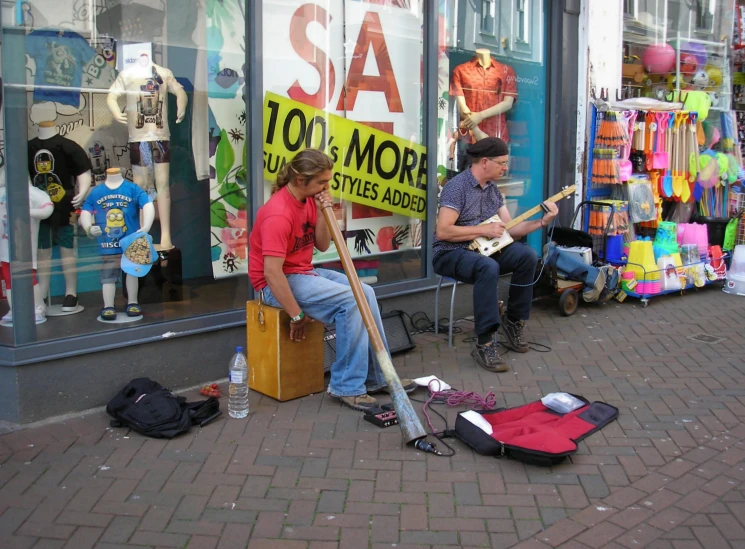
column 411, row 427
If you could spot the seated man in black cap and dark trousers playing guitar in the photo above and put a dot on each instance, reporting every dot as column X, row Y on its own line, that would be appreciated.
column 467, row 200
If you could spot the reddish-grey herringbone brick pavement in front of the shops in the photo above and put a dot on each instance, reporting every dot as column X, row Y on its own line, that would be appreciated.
column 308, row 474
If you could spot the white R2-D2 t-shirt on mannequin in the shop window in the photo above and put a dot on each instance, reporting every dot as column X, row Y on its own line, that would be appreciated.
column 147, row 101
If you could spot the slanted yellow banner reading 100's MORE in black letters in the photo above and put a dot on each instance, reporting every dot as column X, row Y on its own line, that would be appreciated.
column 371, row 167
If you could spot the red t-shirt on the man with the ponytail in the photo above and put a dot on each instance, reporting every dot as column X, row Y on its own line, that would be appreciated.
column 285, row 228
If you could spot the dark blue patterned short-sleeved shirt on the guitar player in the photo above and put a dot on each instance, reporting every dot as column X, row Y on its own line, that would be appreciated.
column 473, row 204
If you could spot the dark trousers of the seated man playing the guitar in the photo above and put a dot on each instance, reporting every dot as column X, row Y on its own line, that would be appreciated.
column 483, row 272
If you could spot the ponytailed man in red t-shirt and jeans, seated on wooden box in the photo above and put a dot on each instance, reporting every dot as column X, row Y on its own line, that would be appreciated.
column 281, row 244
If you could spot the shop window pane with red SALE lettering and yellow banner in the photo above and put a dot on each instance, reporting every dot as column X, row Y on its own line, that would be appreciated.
column 346, row 76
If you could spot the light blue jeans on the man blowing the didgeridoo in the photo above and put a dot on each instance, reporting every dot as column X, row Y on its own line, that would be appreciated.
column 327, row 297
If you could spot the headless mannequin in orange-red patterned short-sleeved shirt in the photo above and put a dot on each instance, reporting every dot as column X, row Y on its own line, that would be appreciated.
column 484, row 90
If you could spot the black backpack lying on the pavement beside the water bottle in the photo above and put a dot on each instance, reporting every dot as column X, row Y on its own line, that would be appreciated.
column 152, row 410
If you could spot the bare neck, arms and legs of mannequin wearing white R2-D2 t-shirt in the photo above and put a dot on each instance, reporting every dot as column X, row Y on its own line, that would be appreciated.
column 140, row 174
